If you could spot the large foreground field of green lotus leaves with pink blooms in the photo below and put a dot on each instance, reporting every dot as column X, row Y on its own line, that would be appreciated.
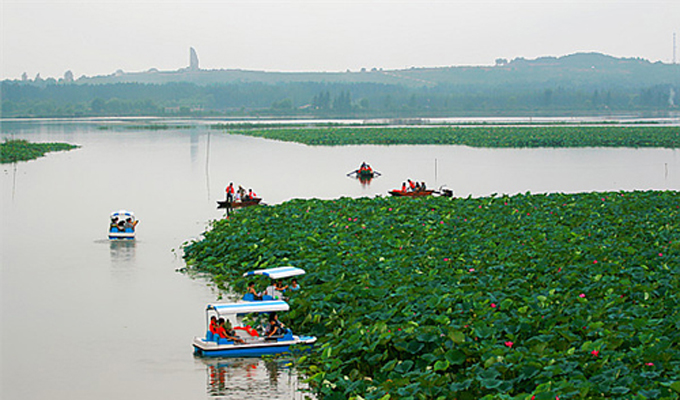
column 569, row 296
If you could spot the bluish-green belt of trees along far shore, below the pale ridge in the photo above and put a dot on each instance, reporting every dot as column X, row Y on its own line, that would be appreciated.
column 20, row 99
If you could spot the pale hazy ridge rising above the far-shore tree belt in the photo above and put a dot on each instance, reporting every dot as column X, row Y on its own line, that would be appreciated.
column 579, row 69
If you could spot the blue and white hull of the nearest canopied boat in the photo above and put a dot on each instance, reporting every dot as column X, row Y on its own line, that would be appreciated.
column 205, row 348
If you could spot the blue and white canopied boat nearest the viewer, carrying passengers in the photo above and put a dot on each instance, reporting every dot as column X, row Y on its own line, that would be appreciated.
column 255, row 343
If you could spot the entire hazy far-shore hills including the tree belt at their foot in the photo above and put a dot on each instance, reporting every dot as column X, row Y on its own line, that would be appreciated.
column 577, row 84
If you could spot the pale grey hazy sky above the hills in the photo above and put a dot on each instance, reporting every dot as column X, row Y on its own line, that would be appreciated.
column 97, row 37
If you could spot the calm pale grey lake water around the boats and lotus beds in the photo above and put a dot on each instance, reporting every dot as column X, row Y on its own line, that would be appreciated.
column 83, row 317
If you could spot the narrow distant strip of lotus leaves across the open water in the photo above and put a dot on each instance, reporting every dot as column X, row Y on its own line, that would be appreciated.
column 481, row 136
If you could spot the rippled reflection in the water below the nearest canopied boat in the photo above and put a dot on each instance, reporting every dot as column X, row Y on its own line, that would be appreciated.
column 238, row 378
